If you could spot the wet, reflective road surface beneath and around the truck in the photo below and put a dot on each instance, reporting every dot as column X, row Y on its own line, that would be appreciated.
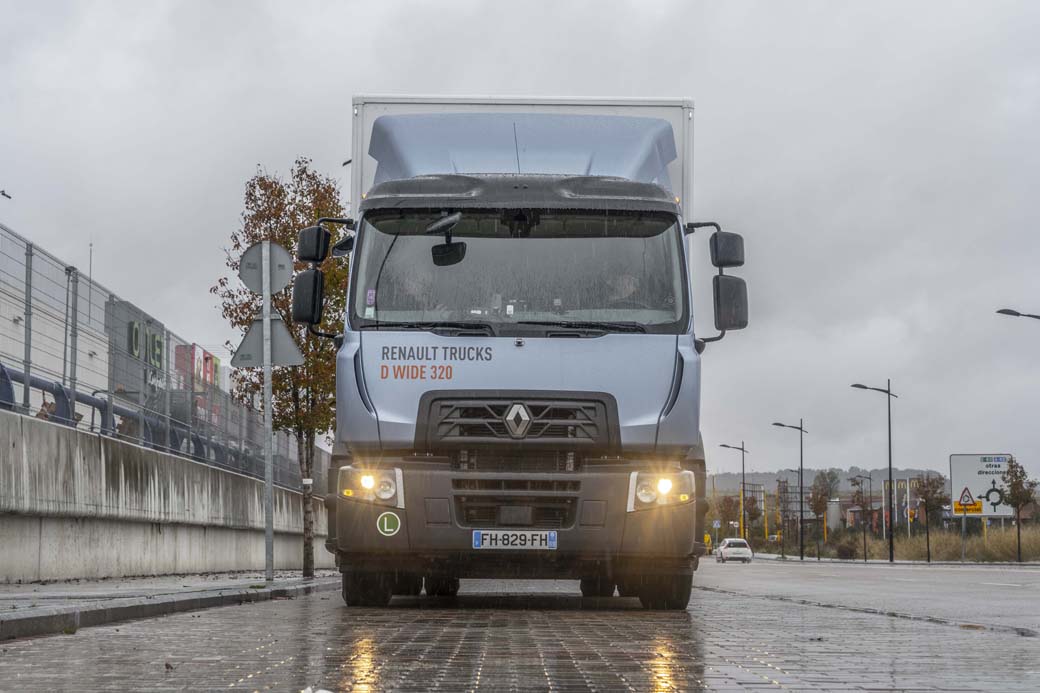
column 740, row 633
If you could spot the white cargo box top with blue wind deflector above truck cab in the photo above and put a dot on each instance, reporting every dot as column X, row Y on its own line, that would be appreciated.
column 643, row 140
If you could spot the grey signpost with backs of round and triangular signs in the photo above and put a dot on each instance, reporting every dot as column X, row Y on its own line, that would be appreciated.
column 267, row 268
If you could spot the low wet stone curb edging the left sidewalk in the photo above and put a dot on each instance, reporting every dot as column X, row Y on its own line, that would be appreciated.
column 38, row 622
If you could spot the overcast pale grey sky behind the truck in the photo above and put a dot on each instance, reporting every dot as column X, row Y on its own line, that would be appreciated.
column 882, row 161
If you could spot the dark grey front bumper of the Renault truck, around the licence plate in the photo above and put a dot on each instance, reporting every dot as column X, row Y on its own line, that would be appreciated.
column 596, row 534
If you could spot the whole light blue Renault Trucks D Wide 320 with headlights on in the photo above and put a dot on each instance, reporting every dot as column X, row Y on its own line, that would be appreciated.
column 518, row 375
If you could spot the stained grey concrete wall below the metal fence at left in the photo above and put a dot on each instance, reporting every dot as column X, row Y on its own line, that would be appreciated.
column 79, row 505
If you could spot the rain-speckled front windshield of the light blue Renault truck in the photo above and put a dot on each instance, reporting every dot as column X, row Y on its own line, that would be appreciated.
column 614, row 272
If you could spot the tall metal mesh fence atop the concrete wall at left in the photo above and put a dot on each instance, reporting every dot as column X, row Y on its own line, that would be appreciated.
column 74, row 353
